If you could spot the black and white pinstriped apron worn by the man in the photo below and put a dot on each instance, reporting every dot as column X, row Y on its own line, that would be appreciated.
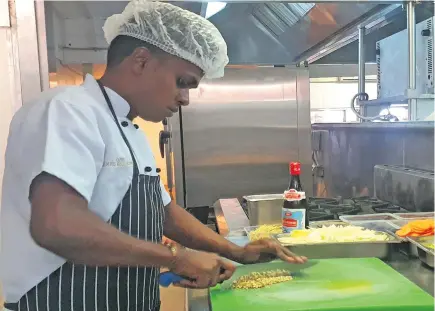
column 84, row 288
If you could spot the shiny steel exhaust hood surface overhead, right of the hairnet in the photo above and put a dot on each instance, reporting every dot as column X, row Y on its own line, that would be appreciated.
column 277, row 33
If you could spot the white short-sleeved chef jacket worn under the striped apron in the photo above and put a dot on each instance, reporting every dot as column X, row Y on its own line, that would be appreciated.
column 70, row 133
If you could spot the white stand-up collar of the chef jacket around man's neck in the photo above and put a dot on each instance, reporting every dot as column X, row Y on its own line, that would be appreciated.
column 120, row 105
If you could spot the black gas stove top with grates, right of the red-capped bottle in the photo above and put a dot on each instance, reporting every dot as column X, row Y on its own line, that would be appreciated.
column 333, row 208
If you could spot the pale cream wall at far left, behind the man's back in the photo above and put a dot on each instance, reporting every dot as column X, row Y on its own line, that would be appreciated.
column 21, row 51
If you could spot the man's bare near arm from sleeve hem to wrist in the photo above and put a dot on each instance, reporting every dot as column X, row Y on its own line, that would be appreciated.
column 62, row 223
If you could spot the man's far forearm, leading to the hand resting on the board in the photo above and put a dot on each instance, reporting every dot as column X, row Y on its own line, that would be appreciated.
column 185, row 229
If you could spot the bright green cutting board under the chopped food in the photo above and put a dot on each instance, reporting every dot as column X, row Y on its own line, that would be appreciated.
column 351, row 284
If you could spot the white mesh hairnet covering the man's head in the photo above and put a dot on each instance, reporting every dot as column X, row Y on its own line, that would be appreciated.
column 174, row 30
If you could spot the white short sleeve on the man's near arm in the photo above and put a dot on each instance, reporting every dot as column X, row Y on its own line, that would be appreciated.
column 67, row 144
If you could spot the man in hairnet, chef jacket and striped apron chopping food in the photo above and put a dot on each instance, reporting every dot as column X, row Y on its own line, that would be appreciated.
column 83, row 207
